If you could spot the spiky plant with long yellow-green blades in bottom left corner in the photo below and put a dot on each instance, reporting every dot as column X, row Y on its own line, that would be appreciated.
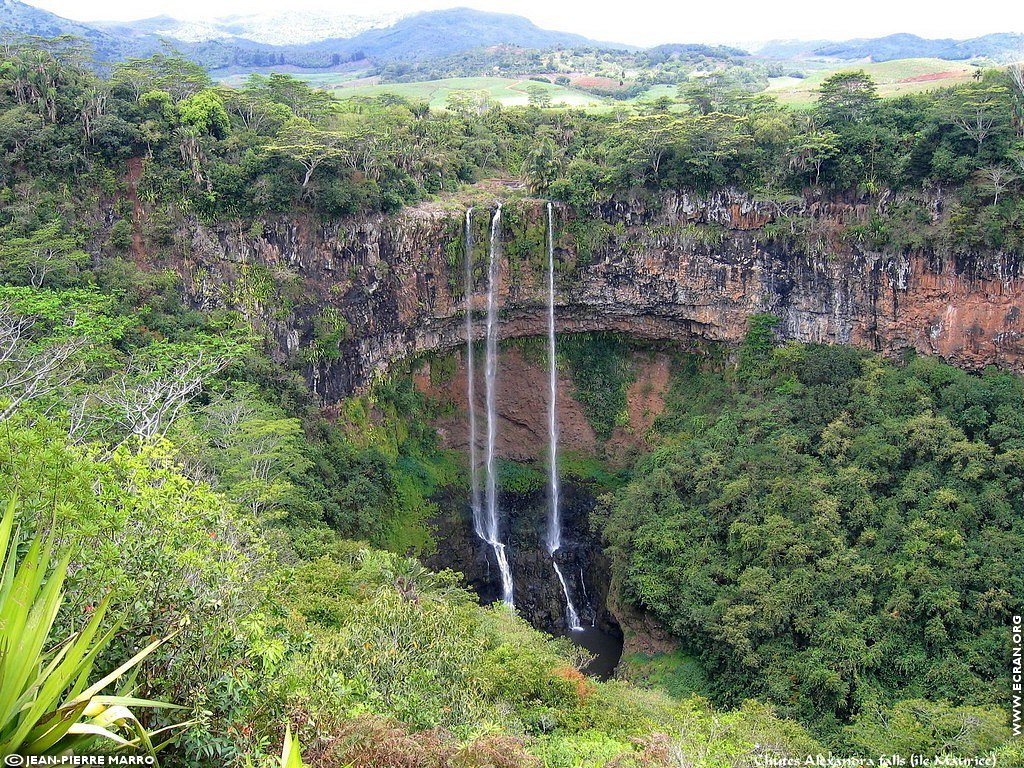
column 47, row 705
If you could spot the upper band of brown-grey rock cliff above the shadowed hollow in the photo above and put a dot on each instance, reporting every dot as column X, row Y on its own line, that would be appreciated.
column 357, row 296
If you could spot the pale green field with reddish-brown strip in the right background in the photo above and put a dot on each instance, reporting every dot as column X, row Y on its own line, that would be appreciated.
column 894, row 78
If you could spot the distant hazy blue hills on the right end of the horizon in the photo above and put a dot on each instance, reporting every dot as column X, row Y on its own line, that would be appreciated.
column 1001, row 48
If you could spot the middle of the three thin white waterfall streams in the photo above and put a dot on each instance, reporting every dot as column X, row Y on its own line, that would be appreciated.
column 493, row 530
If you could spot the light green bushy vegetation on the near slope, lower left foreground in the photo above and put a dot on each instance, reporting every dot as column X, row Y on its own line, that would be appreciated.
column 375, row 661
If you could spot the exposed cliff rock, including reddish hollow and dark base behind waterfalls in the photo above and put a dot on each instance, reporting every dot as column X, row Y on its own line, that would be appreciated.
column 351, row 298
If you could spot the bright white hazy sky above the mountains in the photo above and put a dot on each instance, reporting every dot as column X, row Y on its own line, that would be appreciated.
column 634, row 22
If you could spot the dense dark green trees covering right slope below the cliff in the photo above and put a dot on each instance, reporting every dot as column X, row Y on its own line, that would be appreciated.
column 835, row 534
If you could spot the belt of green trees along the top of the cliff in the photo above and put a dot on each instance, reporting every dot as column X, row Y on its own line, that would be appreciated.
column 276, row 144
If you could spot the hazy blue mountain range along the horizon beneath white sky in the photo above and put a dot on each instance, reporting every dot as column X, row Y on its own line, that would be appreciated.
column 322, row 41
